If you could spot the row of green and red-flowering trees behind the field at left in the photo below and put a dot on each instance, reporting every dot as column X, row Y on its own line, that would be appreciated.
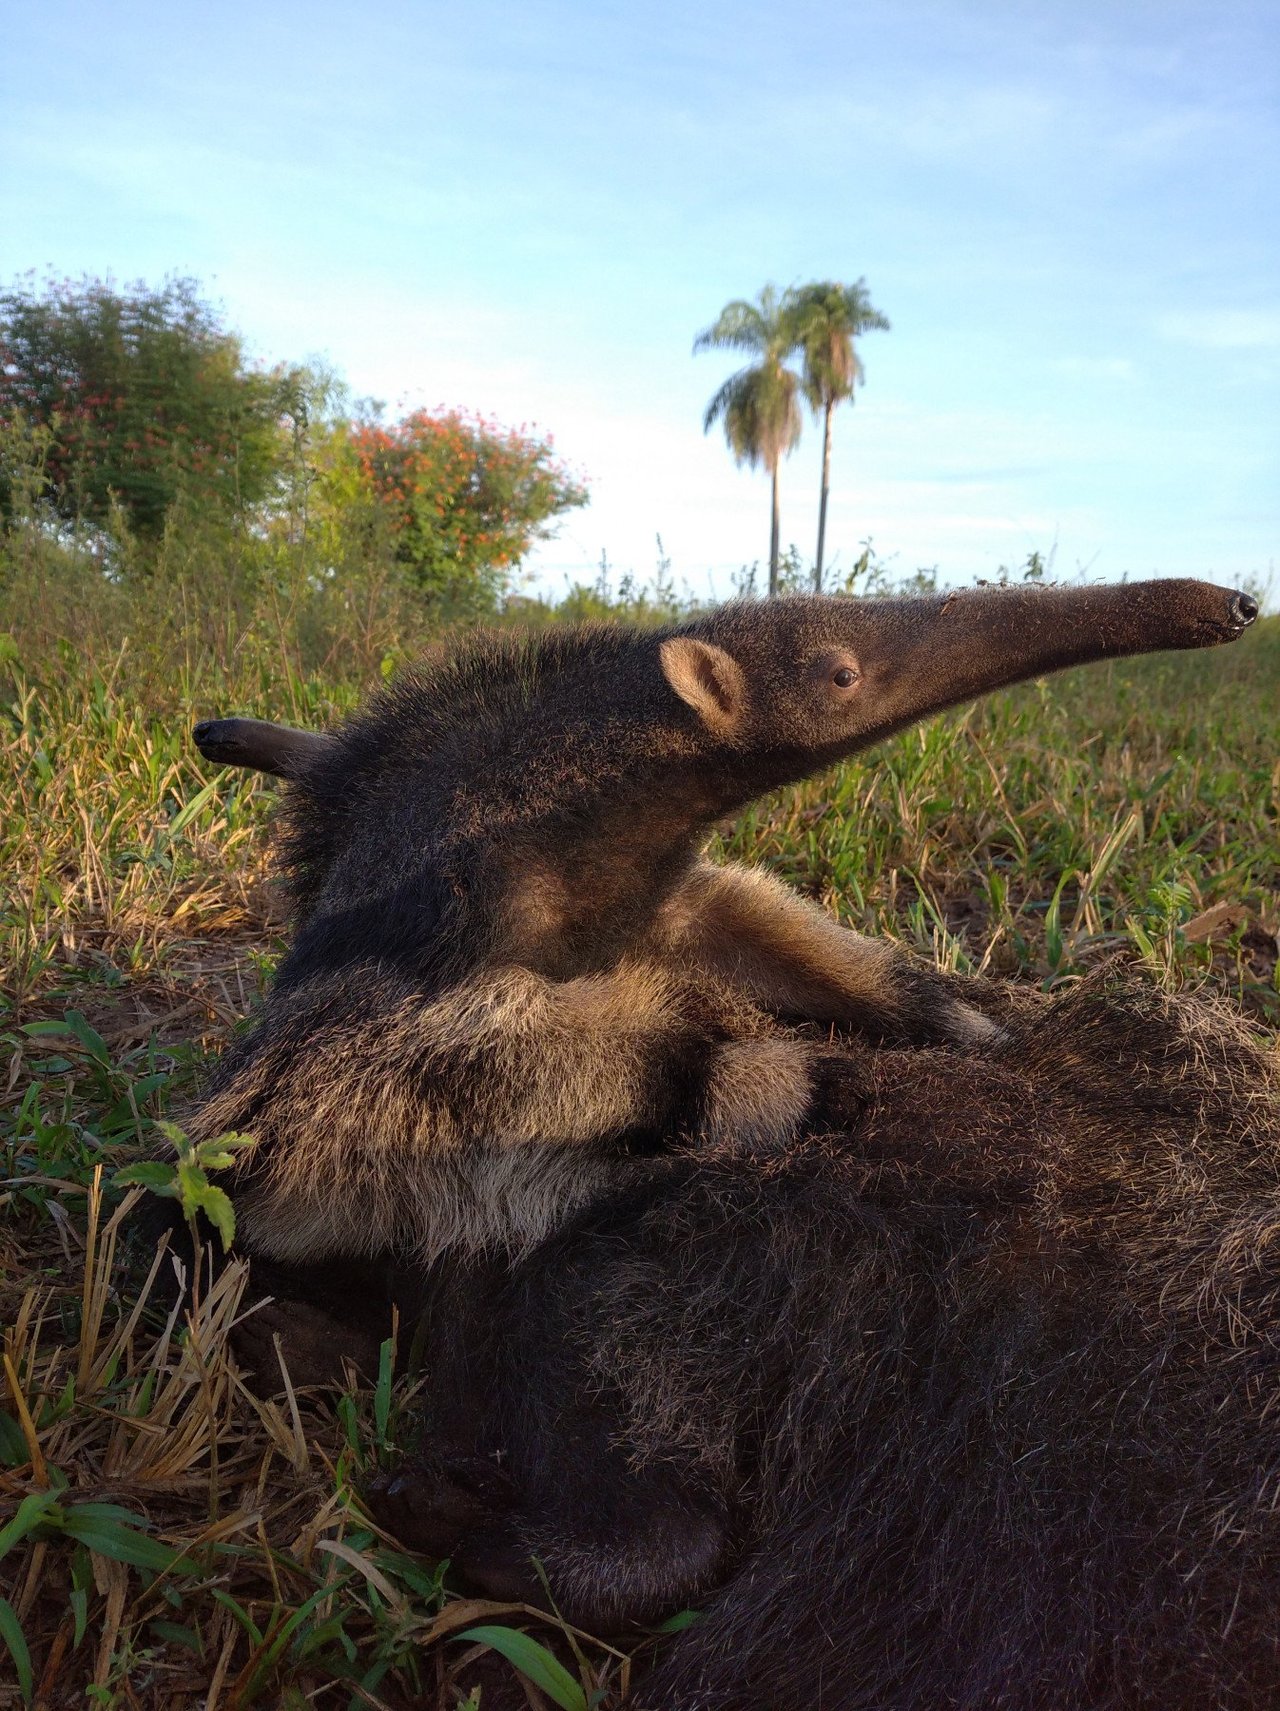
column 136, row 435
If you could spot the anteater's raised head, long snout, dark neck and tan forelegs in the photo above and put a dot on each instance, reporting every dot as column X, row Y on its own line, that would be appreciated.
column 514, row 978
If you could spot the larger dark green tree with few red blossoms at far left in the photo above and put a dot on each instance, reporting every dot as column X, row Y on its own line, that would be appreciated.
column 143, row 396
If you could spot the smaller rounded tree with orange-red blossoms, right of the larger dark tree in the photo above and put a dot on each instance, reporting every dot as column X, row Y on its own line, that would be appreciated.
column 463, row 499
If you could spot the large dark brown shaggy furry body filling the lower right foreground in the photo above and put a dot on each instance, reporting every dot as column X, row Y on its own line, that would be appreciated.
column 973, row 1407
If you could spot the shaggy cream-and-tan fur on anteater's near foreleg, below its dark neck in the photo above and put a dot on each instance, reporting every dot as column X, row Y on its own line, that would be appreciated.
column 458, row 1122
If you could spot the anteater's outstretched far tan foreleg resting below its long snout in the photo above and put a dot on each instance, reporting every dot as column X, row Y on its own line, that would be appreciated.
column 744, row 927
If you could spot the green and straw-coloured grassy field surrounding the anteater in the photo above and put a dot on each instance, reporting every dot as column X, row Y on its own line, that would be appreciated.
column 167, row 1539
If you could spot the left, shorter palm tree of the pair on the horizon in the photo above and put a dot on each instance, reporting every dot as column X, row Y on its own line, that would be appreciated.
column 759, row 405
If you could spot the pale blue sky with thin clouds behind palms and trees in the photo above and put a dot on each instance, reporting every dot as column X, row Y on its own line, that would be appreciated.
column 1069, row 211
